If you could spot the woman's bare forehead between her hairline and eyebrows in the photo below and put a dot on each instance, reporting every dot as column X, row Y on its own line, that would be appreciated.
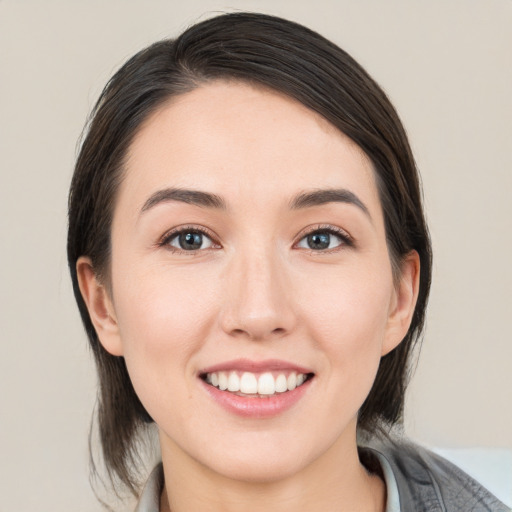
column 242, row 141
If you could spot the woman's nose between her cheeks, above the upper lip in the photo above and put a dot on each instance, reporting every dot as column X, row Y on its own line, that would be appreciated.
column 257, row 301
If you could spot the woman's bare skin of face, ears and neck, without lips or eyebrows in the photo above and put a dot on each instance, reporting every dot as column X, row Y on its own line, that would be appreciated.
column 257, row 291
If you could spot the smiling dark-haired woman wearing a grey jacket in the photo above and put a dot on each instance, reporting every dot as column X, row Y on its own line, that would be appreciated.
column 252, row 265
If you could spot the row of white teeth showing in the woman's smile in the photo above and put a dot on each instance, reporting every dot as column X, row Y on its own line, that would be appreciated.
column 250, row 384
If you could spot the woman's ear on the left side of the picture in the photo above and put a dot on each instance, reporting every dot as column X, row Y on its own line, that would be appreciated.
column 100, row 307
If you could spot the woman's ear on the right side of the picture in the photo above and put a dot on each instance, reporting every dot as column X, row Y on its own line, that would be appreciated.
column 403, row 302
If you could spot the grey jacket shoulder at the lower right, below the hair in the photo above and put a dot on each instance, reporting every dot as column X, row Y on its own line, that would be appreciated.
column 428, row 482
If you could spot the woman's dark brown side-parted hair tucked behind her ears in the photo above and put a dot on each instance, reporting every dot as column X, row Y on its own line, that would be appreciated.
column 284, row 56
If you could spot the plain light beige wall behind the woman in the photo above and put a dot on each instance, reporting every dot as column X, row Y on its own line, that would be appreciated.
column 447, row 66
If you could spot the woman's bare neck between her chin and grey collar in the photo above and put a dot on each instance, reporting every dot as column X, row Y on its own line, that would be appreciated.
column 334, row 481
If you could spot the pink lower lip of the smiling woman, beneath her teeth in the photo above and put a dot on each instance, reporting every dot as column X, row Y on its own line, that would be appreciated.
column 255, row 407
